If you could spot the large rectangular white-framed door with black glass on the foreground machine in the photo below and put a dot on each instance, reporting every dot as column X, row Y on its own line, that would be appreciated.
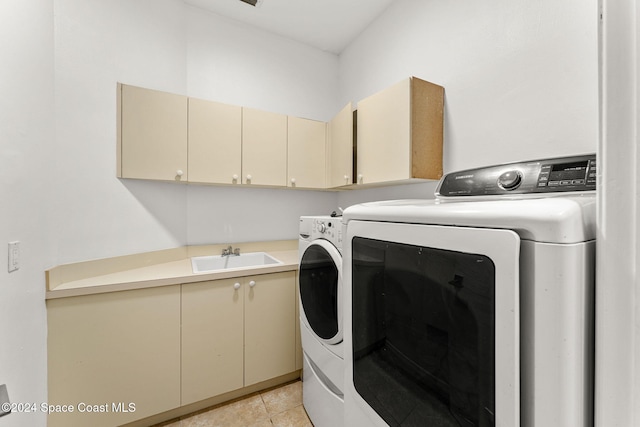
column 432, row 325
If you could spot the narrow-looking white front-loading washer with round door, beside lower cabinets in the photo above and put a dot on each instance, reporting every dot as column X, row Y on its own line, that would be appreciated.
column 321, row 320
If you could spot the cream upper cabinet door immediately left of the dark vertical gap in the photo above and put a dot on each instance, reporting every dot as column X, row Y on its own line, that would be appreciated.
column 340, row 149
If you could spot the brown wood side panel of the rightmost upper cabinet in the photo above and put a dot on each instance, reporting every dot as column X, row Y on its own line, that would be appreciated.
column 427, row 127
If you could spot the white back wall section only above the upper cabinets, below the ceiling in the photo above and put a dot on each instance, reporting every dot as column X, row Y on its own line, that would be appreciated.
column 237, row 64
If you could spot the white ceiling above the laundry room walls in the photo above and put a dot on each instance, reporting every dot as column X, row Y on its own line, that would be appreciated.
column 329, row 25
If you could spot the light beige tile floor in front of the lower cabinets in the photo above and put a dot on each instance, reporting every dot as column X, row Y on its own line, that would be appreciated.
column 278, row 407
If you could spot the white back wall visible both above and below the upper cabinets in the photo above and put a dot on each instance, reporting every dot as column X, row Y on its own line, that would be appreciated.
column 241, row 65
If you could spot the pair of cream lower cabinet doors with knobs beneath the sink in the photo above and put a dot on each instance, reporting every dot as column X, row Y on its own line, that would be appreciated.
column 236, row 333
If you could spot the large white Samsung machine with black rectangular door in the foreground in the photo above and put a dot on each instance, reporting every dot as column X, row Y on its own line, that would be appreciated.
column 476, row 308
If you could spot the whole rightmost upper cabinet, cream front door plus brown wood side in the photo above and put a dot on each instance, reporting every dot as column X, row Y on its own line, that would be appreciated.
column 400, row 132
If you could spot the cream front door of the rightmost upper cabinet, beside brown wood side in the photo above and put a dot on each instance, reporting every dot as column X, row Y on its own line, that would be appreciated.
column 384, row 132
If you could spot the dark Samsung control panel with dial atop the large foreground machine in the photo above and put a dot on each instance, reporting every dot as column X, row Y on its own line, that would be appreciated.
column 562, row 174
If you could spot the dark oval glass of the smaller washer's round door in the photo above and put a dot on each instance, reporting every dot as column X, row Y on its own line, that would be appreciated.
column 319, row 291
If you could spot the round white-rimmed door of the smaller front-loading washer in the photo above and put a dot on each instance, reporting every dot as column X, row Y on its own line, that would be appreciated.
column 320, row 280
